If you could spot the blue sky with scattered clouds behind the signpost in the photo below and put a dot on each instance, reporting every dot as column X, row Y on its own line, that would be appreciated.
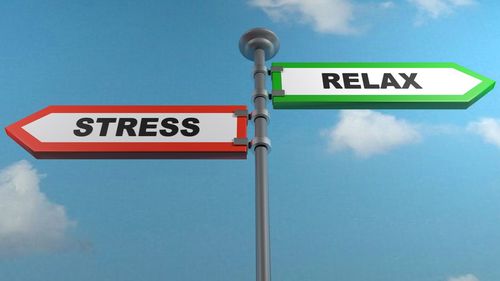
column 421, row 205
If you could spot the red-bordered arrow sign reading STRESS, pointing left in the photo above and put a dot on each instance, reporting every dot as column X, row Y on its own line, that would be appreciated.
column 185, row 132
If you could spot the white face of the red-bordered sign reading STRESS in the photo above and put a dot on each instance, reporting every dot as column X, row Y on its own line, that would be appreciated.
column 134, row 127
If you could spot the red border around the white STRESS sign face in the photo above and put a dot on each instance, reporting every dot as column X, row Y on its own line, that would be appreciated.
column 122, row 150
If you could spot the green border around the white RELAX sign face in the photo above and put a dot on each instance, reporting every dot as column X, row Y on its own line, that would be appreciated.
column 377, row 101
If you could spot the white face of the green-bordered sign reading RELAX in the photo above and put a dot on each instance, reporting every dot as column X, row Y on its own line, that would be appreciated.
column 376, row 81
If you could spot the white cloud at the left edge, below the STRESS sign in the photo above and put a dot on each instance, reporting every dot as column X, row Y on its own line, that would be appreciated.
column 29, row 222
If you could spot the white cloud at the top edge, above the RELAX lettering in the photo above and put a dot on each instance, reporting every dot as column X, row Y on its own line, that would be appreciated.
column 327, row 16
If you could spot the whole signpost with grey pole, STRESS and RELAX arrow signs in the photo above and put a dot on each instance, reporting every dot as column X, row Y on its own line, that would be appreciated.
column 220, row 132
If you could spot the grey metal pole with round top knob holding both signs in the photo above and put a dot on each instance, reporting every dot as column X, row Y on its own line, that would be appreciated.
column 260, row 45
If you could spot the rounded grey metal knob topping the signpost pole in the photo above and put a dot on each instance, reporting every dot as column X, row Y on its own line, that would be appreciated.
column 259, row 38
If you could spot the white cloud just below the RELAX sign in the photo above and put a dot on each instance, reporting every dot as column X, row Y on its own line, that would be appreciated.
column 367, row 132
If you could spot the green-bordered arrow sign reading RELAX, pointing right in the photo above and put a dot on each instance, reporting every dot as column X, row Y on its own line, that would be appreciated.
column 376, row 85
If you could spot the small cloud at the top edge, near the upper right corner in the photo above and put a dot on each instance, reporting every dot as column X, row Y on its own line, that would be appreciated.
column 437, row 8
